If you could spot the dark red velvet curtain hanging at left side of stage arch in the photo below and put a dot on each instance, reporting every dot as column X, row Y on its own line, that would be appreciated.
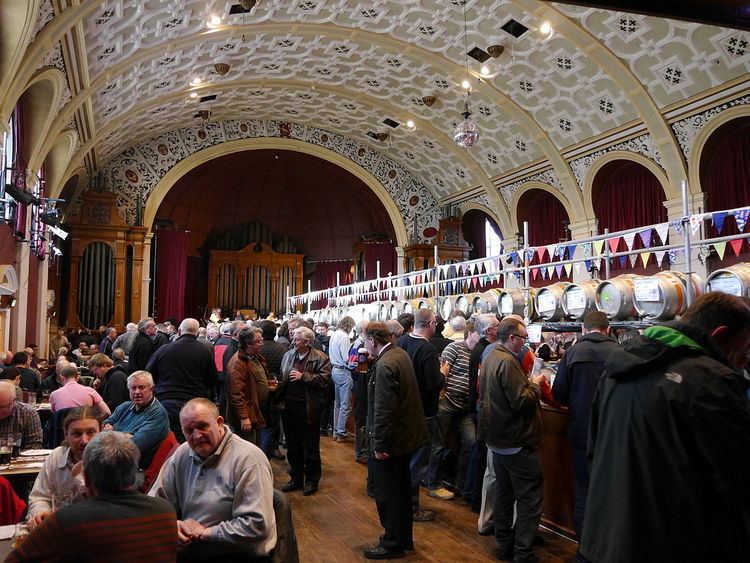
column 171, row 273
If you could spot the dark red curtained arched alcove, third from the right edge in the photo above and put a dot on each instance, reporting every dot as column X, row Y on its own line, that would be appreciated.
column 548, row 221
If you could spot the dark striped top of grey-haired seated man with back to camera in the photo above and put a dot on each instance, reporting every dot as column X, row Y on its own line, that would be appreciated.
column 117, row 528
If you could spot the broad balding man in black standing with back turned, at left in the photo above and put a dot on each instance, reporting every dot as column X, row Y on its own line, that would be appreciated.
column 182, row 370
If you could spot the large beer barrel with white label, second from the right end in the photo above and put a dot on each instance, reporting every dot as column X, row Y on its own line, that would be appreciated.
column 663, row 296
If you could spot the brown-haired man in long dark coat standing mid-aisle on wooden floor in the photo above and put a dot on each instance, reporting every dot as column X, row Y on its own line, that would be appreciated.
column 396, row 428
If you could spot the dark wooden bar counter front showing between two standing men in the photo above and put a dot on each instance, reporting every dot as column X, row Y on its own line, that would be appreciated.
column 554, row 453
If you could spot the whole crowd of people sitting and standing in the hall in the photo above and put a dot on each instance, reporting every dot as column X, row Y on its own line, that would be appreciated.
column 452, row 407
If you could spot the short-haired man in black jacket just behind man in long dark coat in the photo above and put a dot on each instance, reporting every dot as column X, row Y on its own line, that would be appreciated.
column 430, row 380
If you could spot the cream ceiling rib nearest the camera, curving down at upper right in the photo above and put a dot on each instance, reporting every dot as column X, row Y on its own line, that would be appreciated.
column 639, row 96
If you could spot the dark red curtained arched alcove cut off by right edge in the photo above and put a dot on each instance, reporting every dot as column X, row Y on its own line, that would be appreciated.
column 725, row 177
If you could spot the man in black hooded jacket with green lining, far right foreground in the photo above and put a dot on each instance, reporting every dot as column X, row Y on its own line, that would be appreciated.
column 670, row 443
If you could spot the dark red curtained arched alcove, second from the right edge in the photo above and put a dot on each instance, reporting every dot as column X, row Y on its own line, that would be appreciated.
column 625, row 194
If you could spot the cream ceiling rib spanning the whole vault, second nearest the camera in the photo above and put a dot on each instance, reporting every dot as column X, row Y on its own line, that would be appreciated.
column 526, row 127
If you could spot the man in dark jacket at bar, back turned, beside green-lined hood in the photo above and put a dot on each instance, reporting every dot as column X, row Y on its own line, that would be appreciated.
column 578, row 374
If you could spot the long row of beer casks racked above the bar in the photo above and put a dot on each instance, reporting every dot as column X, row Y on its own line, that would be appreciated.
column 660, row 297
